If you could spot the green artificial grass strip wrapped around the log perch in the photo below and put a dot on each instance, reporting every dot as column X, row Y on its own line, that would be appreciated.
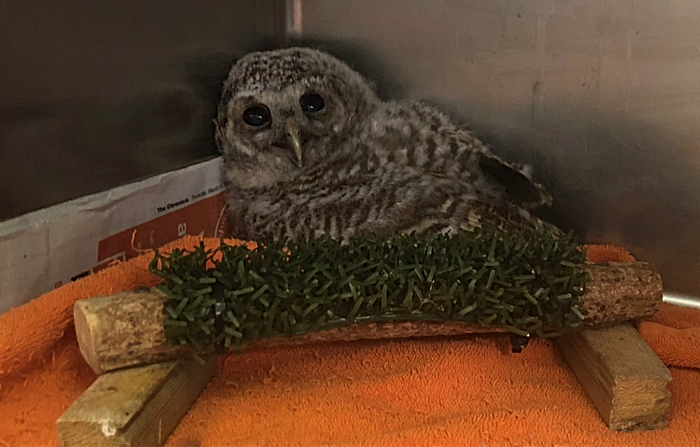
column 529, row 284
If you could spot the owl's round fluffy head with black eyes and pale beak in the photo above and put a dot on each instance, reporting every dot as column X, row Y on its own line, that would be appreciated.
column 284, row 111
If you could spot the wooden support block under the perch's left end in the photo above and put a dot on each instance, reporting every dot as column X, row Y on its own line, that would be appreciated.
column 134, row 407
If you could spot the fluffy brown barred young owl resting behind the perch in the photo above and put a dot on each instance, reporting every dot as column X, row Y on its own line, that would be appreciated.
column 309, row 149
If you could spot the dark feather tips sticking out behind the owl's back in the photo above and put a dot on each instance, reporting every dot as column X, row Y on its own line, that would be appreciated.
column 520, row 188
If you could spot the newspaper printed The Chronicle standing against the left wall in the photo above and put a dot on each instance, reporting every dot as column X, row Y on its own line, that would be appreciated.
column 47, row 248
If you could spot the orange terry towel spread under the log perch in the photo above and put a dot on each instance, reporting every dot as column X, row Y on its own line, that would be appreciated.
column 457, row 391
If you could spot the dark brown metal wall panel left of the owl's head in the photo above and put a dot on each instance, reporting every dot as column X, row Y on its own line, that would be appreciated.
column 94, row 94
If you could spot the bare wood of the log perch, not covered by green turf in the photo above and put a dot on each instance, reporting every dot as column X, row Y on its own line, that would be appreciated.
column 126, row 329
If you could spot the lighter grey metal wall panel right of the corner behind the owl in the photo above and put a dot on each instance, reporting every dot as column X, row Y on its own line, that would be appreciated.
column 602, row 96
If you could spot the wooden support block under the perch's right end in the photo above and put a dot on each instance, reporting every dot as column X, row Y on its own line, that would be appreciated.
column 621, row 374
